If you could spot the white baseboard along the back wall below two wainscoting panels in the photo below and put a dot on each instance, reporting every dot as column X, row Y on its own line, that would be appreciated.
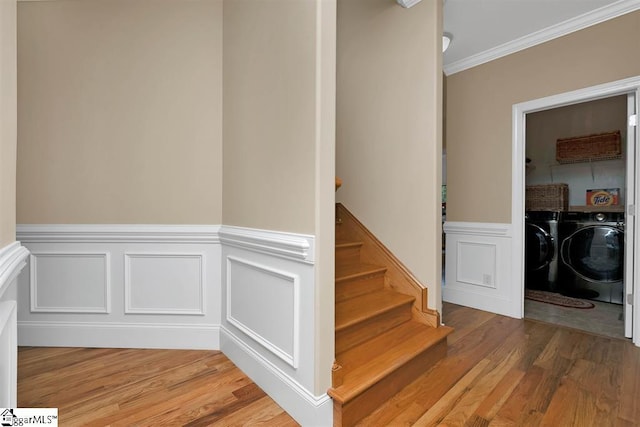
column 118, row 335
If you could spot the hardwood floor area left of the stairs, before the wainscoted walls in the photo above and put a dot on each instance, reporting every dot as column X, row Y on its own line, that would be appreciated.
column 132, row 387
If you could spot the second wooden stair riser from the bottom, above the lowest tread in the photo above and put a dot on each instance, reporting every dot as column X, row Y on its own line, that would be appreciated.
column 372, row 327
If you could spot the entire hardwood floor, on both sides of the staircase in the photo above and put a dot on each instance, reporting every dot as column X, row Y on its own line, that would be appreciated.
column 498, row 372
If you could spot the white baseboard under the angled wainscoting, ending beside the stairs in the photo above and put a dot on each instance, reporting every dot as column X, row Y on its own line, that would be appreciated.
column 305, row 408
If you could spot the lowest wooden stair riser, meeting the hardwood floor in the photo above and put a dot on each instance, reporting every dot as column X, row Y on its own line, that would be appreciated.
column 349, row 414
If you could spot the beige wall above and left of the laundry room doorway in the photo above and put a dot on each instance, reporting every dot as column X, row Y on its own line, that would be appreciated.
column 480, row 100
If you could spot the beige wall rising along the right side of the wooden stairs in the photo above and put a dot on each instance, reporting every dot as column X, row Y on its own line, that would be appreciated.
column 389, row 127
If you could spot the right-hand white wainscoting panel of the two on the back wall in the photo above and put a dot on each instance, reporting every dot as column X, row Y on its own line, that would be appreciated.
column 158, row 283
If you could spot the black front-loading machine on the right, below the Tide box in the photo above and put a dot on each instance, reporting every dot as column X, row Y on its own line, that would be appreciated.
column 592, row 256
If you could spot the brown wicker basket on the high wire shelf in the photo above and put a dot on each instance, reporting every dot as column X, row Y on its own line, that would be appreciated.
column 602, row 146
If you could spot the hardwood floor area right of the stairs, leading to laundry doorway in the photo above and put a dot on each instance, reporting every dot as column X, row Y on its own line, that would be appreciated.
column 507, row 372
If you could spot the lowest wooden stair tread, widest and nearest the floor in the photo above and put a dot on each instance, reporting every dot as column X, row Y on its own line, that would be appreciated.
column 400, row 345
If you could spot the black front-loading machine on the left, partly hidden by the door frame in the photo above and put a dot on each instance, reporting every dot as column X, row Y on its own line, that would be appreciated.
column 541, row 239
